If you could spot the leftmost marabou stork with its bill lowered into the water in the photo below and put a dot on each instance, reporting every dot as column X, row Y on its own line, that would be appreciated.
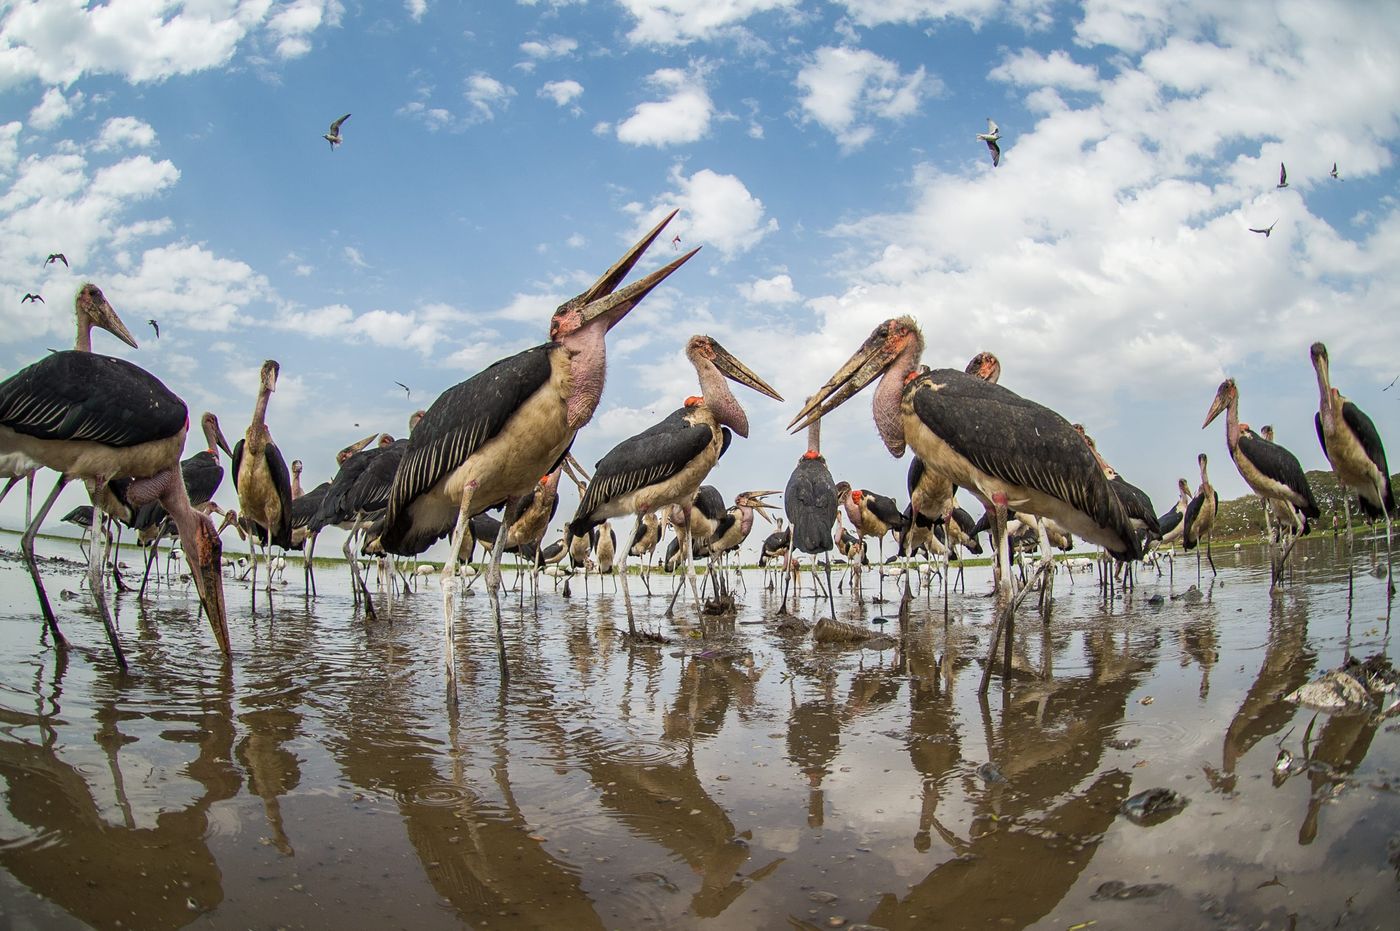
column 101, row 419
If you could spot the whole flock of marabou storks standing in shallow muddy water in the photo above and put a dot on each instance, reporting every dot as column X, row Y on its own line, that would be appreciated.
column 502, row 440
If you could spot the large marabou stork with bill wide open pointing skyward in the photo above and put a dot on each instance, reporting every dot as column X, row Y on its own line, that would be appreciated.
column 488, row 440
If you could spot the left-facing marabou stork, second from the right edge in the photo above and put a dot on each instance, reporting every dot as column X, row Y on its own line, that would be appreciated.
column 1269, row 470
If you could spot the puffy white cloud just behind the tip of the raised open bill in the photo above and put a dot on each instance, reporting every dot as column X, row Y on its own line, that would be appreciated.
column 717, row 212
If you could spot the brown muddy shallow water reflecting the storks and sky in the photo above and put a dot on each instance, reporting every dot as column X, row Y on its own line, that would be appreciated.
column 733, row 779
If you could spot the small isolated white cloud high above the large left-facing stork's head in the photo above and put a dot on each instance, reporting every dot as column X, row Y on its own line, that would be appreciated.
column 845, row 89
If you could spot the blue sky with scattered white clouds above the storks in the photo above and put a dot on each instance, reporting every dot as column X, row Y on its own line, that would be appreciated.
column 822, row 153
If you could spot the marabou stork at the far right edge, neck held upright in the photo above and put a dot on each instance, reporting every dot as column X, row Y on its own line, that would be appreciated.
column 1353, row 447
